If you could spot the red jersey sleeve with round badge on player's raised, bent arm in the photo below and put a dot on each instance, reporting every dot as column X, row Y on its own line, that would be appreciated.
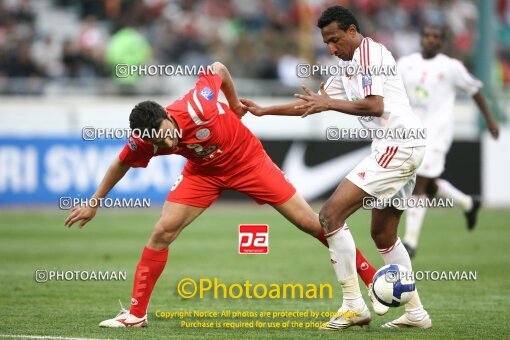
column 205, row 95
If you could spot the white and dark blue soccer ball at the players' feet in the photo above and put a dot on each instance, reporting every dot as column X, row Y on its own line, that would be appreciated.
column 393, row 285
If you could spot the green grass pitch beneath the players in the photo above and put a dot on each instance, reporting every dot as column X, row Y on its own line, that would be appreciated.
column 208, row 248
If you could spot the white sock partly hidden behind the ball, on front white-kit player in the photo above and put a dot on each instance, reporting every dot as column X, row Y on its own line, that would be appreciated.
column 397, row 254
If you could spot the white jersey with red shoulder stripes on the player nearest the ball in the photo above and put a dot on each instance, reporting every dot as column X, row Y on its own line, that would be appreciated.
column 377, row 75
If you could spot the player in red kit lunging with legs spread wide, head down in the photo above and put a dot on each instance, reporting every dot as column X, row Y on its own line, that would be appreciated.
column 222, row 154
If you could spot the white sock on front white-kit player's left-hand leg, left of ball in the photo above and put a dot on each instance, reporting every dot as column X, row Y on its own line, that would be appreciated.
column 343, row 257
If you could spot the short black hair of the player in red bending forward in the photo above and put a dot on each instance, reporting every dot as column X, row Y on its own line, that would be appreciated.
column 147, row 116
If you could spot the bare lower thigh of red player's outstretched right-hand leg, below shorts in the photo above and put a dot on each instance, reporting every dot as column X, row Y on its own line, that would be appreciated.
column 299, row 213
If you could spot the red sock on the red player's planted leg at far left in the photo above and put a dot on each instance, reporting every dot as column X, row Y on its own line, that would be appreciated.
column 147, row 273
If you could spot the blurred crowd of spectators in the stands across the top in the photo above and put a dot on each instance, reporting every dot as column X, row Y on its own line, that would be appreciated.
column 83, row 40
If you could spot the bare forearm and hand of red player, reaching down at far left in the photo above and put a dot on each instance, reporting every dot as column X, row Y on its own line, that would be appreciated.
column 115, row 172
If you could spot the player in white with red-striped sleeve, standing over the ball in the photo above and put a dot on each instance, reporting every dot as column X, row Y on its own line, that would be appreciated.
column 380, row 102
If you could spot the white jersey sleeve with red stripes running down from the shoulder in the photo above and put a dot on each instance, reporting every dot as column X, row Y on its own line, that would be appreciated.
column 370, row 58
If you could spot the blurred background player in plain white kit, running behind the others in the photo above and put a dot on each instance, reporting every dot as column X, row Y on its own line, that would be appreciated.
column 431, row 79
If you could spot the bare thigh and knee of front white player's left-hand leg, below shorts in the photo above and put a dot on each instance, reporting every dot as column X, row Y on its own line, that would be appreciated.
column 346, row 199
